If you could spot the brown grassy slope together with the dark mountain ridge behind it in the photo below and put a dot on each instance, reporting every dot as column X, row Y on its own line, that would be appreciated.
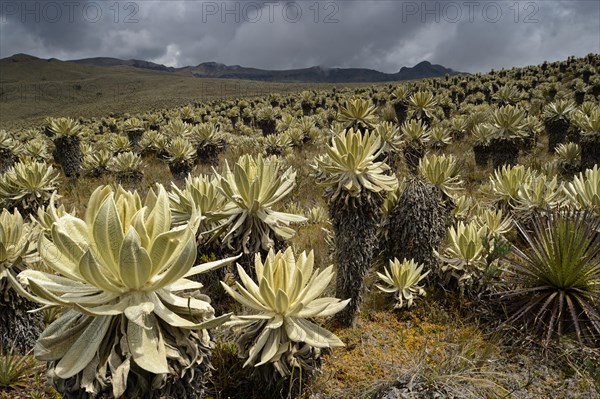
column 32, row 88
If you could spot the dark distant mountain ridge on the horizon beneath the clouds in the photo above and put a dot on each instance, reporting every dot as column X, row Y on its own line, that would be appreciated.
column 314, row 74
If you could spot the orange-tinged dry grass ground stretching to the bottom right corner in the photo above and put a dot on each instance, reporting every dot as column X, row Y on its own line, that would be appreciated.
column 437, row 347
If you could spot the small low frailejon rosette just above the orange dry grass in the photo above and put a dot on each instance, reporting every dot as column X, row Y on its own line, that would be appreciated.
column 402, row 279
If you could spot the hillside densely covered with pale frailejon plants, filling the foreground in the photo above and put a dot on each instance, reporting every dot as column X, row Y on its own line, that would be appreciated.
column 437, row 238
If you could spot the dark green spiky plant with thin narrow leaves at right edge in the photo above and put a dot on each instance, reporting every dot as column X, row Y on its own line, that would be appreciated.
column 552, row 283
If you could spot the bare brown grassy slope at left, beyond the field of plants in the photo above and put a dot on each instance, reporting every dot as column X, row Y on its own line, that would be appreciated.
column 32, row 88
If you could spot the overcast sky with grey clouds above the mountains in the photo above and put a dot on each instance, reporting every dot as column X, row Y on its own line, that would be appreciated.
column 469, row 36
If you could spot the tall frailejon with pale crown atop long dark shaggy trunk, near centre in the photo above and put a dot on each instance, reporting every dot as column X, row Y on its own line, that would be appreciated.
column 355, row 186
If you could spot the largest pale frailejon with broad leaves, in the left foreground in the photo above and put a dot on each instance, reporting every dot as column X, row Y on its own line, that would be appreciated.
column 134, row 323
